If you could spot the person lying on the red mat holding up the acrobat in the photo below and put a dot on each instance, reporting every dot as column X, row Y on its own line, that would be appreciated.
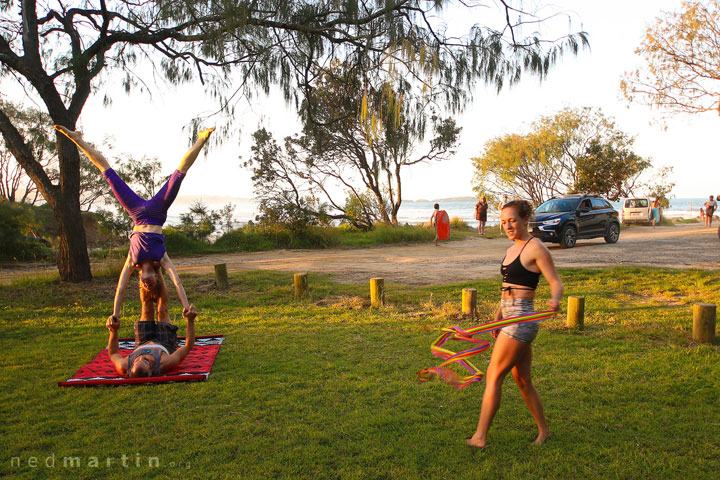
column 156, row 351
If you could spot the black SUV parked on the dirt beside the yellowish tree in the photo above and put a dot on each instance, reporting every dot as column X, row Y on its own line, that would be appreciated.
column 565, row 219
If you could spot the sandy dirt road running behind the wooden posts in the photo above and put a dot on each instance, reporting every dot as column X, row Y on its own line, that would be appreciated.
column 679, row 246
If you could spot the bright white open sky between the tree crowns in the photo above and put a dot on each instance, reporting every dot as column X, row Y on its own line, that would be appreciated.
column 153, row 126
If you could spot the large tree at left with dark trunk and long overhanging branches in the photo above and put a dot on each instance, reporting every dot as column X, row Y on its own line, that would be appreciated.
column 62, row 55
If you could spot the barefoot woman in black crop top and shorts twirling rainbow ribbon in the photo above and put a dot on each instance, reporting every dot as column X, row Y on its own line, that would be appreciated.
column 512, row 352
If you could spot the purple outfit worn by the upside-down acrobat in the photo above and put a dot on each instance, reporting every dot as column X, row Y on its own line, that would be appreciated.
column 145, row 246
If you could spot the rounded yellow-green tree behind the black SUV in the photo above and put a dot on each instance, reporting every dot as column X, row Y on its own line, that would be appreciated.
column 576, row 150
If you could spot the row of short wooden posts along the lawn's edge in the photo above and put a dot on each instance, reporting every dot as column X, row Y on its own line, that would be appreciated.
column 704, row 314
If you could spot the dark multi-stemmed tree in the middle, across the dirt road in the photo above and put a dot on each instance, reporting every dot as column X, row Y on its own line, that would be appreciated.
column 349, row 158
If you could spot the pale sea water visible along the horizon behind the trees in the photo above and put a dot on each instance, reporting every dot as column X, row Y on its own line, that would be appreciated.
column 419, row 212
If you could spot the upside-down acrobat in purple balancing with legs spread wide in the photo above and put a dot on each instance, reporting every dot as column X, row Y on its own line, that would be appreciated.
column 147, row 243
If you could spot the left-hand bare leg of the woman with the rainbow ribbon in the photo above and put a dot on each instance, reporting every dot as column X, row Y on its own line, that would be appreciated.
column 507, row 352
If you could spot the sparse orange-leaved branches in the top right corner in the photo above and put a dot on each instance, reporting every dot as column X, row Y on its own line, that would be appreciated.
column 681, row 56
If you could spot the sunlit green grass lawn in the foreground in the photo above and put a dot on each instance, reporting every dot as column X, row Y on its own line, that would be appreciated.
column 326, row 388
